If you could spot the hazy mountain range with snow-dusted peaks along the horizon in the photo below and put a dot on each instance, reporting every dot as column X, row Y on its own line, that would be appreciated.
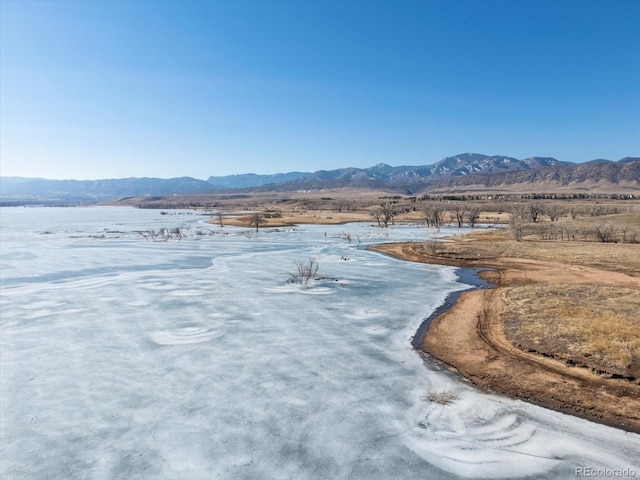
column 456, row 173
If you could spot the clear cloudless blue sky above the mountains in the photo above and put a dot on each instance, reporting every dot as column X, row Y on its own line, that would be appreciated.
column 110, row 89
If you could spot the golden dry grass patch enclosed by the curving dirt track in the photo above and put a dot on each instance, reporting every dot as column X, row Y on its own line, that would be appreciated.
column 587, row 325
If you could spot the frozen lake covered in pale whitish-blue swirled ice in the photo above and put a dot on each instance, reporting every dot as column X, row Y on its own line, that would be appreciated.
column 123, row 357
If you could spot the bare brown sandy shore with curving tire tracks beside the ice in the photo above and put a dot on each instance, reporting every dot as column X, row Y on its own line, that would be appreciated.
column 470, row 338
